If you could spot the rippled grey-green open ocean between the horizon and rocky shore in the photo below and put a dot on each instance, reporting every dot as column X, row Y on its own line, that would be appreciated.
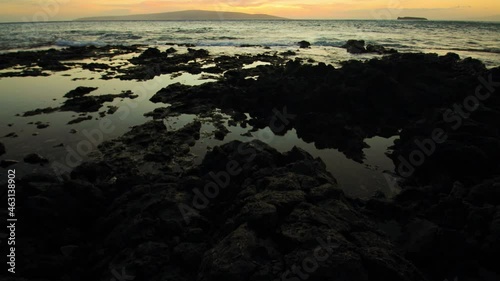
column 479, row 40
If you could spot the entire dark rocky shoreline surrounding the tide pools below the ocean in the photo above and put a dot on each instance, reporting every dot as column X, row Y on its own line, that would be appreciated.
column 144, row 208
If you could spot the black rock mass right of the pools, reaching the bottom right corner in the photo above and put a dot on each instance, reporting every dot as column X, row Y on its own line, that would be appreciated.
column 445, row 111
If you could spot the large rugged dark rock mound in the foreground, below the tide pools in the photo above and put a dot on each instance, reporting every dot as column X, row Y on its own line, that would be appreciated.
column 271, row 212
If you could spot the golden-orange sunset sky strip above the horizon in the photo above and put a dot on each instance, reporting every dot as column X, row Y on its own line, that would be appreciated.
column 53, row 10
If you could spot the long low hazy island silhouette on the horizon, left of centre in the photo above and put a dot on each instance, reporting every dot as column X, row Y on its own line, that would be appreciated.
column 185, row 15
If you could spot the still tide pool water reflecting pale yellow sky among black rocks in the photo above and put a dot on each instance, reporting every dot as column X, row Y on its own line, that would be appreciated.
column 19, row 95
